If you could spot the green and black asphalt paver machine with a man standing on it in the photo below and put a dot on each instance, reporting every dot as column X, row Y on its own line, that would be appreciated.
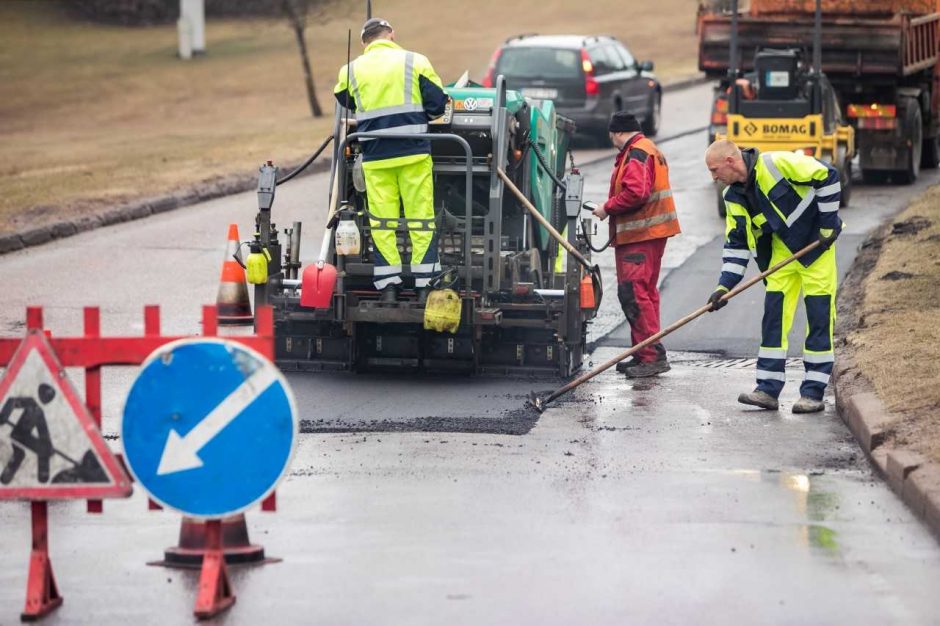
column 524, row 302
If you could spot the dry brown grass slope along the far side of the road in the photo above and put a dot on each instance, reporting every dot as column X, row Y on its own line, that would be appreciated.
column 93, row 114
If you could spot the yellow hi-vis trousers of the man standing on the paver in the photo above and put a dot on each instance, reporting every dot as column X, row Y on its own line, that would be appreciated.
column 390, row 185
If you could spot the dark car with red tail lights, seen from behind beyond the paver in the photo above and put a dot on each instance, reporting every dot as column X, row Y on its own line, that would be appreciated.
column 587, row 77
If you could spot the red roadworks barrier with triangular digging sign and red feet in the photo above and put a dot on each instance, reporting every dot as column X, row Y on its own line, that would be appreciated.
column 51, row 446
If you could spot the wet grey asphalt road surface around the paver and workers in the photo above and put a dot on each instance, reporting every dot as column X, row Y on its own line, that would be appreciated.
column 444, row 500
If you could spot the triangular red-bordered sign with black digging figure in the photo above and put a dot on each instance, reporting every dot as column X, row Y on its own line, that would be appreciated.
column 50, row 446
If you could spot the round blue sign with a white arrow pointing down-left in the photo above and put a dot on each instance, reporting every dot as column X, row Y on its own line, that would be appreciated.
column 209, row 427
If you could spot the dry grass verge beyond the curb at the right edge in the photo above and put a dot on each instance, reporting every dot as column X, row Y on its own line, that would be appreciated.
column 898, row 346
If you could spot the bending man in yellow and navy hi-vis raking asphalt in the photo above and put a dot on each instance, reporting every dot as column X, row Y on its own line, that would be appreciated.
column 778, row 203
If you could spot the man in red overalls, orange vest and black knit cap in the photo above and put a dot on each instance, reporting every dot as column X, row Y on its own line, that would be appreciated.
column 642, row 217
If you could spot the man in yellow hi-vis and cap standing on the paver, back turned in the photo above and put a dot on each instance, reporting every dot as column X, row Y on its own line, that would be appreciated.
column 393, row 90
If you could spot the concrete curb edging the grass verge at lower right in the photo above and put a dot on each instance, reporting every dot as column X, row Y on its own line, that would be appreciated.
column 912, row 477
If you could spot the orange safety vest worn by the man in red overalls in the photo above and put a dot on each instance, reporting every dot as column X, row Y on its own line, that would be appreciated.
column 657, row 218
